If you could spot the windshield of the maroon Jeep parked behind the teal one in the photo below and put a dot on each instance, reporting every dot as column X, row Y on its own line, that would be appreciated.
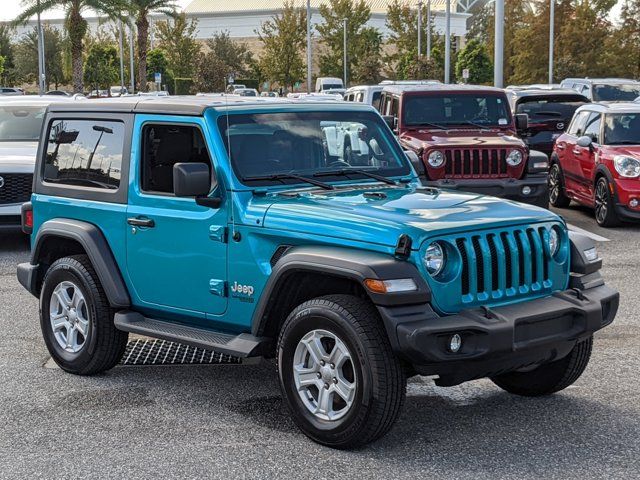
column 456, row 109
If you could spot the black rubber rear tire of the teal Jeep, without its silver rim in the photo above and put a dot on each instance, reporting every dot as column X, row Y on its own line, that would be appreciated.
column 103, row 345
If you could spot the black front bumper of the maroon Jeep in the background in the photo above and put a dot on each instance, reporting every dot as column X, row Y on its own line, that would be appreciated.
column 509, row 188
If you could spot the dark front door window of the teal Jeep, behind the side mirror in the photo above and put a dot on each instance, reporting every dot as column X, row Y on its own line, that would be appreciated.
column 165, row 145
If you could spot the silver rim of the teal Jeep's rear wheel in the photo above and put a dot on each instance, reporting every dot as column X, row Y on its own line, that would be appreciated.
column 69, row 316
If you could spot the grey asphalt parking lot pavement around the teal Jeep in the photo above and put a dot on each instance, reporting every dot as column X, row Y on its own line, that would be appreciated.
column 230, row 421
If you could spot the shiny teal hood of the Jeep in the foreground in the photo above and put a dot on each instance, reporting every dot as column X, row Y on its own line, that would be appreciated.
column 379, row 215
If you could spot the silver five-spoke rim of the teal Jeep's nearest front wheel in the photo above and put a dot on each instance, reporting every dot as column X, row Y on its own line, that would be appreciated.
column 325, row 380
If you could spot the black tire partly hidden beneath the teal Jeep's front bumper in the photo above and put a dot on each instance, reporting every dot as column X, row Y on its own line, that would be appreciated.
column 550, row 377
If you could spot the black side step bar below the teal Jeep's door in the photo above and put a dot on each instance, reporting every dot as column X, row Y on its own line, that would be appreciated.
column 242, row 345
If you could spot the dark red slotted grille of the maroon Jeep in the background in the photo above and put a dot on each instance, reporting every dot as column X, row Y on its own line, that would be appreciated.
column 476, row 162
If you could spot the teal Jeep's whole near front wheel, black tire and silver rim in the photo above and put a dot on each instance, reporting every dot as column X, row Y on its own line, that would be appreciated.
column 343, row 384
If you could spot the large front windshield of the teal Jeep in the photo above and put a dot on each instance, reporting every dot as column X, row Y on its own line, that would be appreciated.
column 310, row 143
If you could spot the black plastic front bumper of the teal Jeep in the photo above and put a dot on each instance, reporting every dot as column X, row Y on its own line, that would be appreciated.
column 499, row 339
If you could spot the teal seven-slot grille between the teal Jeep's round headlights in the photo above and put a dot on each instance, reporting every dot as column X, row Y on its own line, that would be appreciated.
column 501, row 264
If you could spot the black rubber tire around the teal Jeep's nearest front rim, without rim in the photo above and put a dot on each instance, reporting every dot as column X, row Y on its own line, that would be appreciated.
column 380, row 381
